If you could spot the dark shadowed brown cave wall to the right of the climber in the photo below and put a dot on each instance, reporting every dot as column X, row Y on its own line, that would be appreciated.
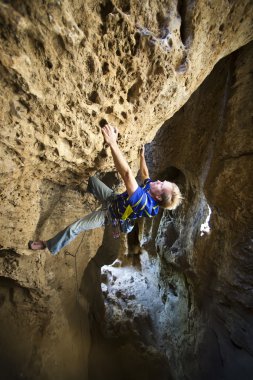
column 209, row 140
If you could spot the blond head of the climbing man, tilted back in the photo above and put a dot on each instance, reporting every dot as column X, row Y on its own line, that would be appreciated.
column 167, row 194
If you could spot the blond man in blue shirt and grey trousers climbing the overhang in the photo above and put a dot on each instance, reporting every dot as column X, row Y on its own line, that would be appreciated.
column 118, row 211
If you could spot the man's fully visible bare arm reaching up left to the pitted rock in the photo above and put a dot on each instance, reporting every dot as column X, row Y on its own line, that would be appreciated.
column 110, row 136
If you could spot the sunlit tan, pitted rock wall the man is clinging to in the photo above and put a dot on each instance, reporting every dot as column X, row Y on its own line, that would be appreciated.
column 65, row 66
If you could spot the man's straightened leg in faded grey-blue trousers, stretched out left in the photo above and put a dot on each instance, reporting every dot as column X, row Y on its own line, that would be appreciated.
column 94, row 220
